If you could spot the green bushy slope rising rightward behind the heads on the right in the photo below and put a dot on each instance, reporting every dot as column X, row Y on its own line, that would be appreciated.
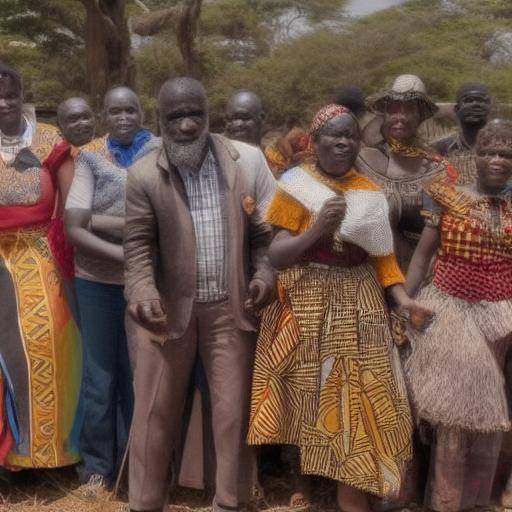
column 444, row 49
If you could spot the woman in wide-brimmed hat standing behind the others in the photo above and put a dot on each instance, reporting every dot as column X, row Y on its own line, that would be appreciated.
column 399, row 162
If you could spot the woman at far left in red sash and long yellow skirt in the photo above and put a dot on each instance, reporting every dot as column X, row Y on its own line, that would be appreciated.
column 40, row 349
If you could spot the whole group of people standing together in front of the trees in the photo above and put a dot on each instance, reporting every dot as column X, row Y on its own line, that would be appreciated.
column 344, row 292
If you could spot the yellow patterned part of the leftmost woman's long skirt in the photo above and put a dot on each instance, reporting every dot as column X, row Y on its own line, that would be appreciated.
column 51, row 351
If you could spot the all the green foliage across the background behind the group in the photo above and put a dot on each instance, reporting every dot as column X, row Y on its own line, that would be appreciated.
column 238, row 48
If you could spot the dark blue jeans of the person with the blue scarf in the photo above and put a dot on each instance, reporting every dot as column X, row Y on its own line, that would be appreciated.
column 107, row 387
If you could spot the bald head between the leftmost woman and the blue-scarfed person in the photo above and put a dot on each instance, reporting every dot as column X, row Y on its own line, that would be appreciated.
column 76, row 121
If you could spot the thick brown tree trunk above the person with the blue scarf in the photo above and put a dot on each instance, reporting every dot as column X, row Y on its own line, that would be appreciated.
column 108, row 47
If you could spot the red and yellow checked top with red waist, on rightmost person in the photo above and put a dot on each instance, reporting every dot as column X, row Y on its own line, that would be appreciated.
column 474, row 261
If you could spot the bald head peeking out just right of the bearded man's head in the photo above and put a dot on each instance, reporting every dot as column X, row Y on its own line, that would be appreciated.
column 244, row 117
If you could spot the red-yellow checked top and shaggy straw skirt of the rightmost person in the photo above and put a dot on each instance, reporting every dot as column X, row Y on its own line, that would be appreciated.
column 457, row 381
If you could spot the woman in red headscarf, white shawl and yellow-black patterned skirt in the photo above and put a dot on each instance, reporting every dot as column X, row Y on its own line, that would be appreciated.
column 327, row 376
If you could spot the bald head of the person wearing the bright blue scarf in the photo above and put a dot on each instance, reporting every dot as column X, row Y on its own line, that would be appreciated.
column 123, row 114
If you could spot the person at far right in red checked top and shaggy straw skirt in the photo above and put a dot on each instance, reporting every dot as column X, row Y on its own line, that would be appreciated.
column 455, row 367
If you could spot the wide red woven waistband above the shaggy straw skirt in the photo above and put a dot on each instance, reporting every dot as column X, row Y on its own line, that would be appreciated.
column 474, row 281
